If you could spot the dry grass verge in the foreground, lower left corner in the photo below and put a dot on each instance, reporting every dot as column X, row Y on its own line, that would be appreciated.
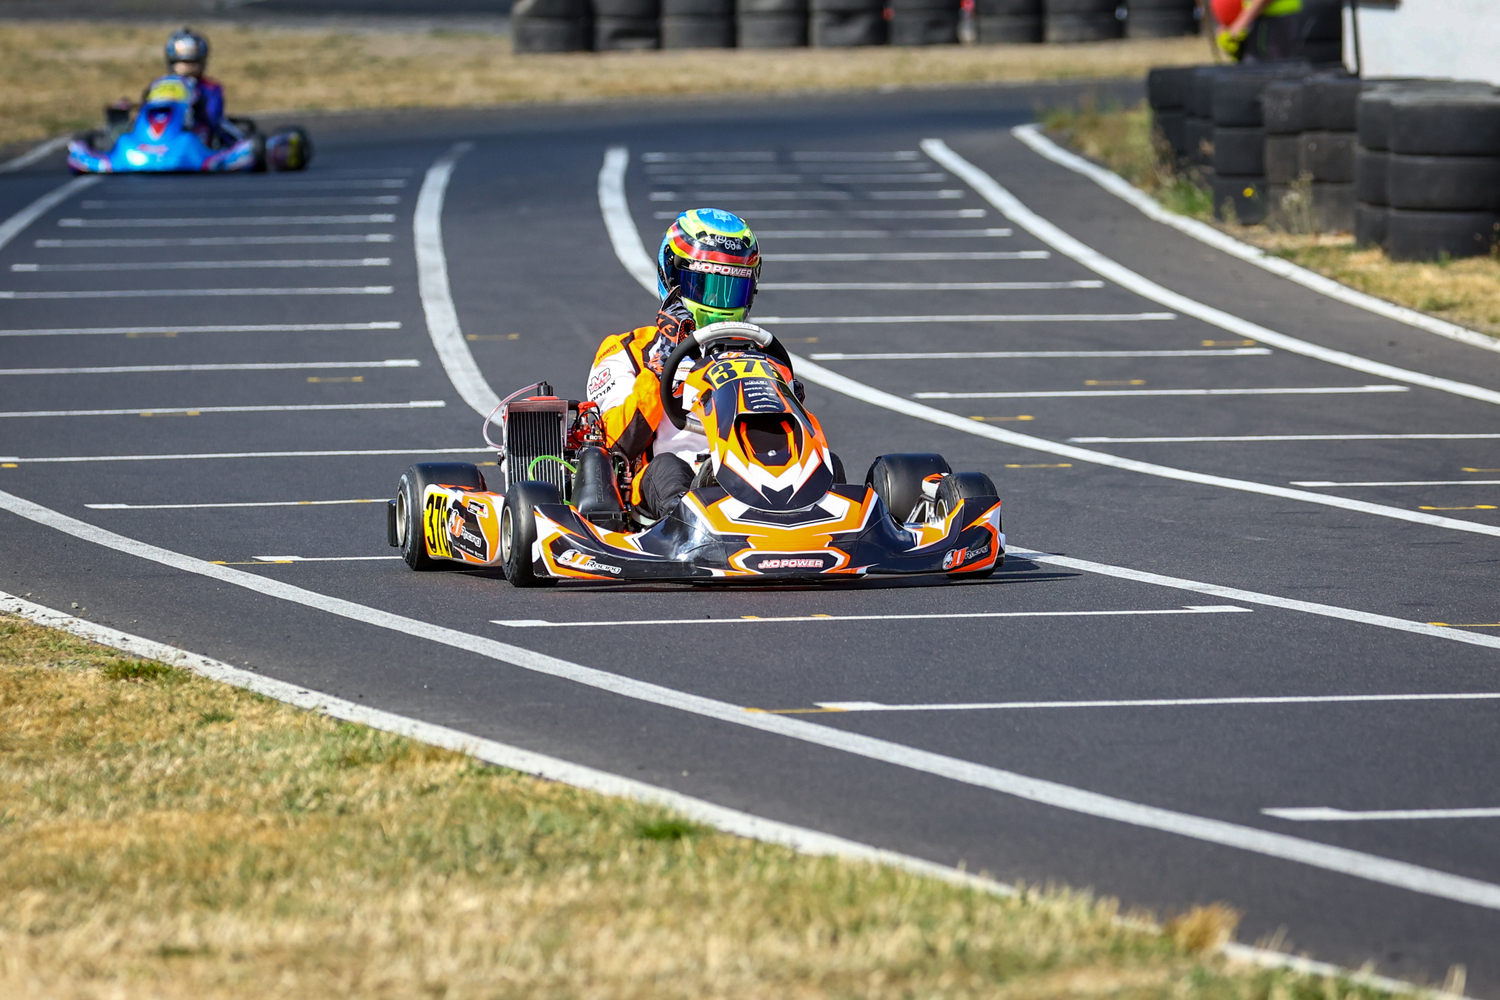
column 167, row 837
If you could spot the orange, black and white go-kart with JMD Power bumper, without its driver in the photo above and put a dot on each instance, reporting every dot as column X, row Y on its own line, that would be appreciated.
column 769, row 500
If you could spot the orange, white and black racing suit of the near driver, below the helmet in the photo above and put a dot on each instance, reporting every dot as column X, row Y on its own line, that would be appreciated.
column 626, row 386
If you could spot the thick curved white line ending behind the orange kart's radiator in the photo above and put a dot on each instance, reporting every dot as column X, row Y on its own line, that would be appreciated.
column 433, row 284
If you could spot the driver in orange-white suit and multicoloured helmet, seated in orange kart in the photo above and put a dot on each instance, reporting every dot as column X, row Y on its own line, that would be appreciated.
column 707, row 272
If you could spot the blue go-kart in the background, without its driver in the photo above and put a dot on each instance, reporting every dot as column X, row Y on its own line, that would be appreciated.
column 163, row 140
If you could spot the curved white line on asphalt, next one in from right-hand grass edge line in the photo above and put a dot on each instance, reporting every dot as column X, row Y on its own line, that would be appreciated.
column 1121, row 275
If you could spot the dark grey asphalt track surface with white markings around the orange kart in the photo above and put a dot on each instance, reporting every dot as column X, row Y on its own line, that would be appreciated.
column 1162, row 804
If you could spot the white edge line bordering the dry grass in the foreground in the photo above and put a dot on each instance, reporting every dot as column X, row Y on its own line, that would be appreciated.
column 748, row 825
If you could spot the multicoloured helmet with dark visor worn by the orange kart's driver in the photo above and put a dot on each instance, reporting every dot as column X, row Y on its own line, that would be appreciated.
column 712, row 259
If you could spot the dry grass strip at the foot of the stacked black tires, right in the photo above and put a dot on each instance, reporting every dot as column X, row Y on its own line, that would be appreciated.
column 1465, row 292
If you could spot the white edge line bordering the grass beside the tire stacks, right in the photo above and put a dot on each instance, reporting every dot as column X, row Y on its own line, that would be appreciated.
column 1117, row 185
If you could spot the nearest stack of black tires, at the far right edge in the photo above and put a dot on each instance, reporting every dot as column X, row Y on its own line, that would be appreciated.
column 1429, row 170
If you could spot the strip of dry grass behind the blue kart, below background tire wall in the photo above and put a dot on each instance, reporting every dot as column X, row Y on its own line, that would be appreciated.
column 58, row 76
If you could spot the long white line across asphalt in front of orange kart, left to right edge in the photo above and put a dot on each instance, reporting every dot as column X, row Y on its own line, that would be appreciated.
column 1267, row 843
